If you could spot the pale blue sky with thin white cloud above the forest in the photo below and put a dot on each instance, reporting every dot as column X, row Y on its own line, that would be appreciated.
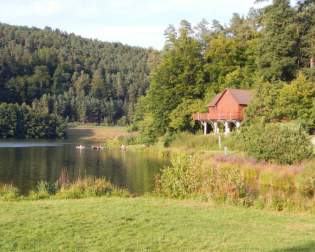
column 134, row 22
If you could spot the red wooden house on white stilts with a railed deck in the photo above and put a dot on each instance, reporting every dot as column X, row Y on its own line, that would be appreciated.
column 227, row 108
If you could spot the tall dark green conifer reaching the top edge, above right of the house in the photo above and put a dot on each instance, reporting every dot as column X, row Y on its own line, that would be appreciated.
column 277, row 46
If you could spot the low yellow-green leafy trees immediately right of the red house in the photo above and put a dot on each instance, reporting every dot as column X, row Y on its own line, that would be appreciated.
column 284, row 102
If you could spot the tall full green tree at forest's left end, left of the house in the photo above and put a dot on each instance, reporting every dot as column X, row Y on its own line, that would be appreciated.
column 179, row 76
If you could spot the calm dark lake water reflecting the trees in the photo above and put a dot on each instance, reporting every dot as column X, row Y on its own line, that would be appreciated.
column 25, row 163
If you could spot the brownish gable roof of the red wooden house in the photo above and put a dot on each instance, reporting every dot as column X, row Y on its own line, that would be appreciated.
column 242, row 97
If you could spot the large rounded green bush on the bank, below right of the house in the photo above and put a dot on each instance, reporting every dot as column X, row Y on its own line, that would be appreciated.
column 276, row 143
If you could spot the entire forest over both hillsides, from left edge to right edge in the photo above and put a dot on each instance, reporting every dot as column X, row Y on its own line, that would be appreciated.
column 271, row 50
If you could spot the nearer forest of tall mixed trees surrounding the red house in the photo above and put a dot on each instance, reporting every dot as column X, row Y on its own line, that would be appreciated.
column 271, row 50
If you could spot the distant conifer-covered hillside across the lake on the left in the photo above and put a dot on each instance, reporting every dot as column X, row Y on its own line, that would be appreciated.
column 79, row 79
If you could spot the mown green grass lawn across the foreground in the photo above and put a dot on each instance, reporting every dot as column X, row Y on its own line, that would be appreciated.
column 146, row 224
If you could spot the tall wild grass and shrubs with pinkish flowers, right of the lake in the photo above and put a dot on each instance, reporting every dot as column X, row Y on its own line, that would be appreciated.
column 240, row 181
